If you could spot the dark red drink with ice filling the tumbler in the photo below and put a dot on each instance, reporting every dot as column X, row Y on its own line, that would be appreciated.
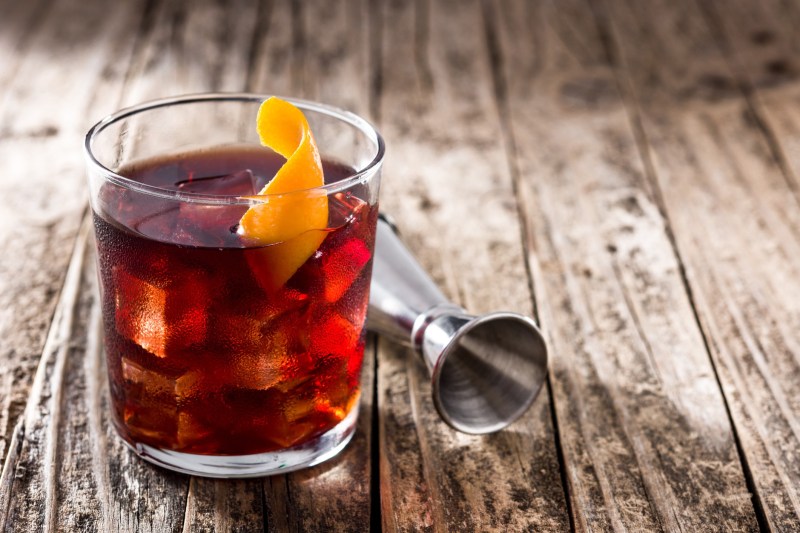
column 205, row 356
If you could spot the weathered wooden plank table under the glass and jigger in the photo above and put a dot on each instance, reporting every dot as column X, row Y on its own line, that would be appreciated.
column 627, row 172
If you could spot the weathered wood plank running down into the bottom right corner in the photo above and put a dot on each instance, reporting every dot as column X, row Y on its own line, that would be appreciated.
column 736, row 224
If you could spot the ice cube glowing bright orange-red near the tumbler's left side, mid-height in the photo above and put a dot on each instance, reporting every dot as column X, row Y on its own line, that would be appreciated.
column 162, row 319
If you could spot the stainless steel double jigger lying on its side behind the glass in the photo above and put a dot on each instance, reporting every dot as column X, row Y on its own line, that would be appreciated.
column 485, row 370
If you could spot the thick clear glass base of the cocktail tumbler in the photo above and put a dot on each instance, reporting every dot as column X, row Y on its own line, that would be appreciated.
column 304, row 455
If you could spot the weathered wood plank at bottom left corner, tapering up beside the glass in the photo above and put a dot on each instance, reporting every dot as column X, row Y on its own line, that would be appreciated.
column 72, row 472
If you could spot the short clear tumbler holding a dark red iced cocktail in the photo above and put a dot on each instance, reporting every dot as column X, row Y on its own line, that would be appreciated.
column 226, row 358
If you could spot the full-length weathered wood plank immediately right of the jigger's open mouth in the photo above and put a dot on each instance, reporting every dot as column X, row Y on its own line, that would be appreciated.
column 646, row 438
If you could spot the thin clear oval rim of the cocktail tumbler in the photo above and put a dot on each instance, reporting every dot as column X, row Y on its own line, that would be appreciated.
column 331, row 111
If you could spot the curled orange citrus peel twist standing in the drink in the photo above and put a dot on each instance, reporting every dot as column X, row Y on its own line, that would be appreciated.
column 290, row 207
